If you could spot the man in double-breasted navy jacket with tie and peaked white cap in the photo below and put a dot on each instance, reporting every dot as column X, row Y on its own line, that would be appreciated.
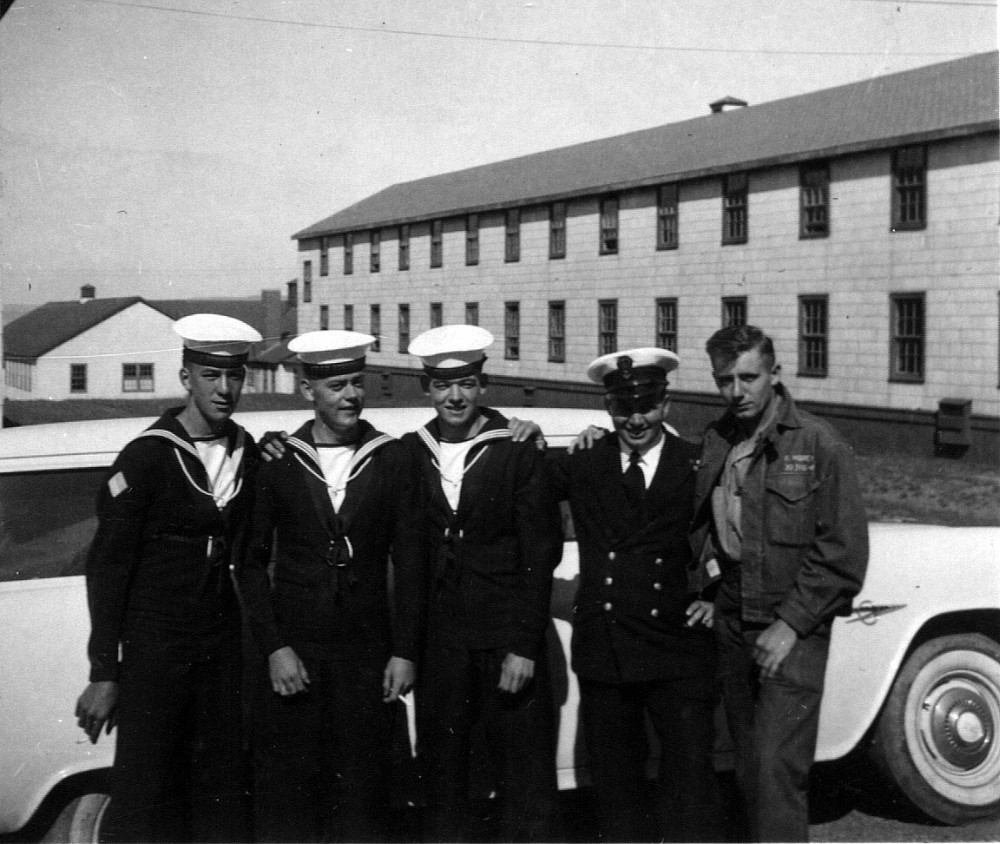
column 641, row 645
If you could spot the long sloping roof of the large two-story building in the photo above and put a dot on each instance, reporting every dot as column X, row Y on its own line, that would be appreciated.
column 949, row 99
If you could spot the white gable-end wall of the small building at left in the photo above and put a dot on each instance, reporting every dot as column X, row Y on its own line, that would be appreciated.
column 138, row 334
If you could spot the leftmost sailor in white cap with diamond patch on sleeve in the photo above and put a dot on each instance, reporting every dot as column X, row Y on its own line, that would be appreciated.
column 159, row 587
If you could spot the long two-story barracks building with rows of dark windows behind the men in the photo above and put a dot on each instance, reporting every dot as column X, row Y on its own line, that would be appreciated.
column 857, row 225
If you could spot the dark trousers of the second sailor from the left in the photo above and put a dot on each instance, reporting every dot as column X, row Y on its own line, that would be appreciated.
column 325, row 757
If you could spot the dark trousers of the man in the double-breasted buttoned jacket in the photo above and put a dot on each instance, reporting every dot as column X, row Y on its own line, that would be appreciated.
column 684, row 804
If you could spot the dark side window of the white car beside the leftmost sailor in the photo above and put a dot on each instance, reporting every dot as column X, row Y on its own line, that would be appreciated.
column 47, row 521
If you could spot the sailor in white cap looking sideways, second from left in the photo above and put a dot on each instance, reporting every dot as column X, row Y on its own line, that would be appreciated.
column 336, row 502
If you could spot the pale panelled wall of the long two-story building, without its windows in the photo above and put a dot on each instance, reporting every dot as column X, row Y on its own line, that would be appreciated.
column 953, row 261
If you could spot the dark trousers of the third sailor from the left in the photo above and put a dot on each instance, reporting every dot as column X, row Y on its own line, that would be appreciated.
column 459, row 687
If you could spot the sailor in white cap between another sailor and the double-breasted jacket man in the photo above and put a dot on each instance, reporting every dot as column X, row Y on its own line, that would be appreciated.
column 492, row 544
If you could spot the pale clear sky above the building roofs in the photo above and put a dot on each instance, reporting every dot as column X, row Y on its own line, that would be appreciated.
column 170, row 149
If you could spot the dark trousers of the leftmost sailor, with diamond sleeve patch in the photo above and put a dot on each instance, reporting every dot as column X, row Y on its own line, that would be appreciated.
column 179, row 772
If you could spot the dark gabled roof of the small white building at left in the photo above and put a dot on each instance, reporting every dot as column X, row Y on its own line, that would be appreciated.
column 54, row 323
